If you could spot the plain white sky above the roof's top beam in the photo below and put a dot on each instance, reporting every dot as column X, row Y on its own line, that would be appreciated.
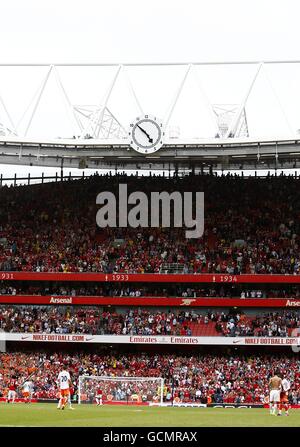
column 148, row 31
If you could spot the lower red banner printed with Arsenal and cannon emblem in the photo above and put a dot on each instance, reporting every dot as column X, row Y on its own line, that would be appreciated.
column 148, row 301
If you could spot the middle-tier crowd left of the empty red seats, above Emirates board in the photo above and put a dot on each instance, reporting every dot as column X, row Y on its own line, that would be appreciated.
column 92, row 320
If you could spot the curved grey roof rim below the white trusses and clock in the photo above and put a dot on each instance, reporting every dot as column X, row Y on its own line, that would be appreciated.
column 223, row 155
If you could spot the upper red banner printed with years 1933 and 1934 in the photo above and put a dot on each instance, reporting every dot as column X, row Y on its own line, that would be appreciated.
column 149, row 277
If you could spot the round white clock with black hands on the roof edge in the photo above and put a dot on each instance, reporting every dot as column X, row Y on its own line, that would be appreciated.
column 146, row 134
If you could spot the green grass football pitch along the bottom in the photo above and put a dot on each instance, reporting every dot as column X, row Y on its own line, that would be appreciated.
column 47, row 415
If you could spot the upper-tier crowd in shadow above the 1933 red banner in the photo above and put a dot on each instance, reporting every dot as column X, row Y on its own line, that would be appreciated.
column 251, row 226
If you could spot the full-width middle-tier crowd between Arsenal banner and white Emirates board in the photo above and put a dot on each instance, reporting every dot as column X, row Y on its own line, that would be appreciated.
column 137, row 321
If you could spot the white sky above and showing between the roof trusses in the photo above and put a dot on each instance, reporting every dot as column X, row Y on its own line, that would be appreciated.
column 139, row 31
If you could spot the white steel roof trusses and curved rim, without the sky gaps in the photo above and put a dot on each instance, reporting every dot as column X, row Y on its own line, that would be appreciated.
column 99, row 136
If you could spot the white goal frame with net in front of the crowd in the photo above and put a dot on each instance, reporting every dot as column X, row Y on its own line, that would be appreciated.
column 127, row 390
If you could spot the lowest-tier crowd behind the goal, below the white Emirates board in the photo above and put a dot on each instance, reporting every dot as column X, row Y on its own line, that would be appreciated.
column 188, row 377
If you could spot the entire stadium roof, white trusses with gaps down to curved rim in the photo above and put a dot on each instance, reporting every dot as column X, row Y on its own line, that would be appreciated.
column 224, row 115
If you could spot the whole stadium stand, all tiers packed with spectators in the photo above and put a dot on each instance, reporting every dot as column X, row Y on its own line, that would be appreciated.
column 251, row 228
